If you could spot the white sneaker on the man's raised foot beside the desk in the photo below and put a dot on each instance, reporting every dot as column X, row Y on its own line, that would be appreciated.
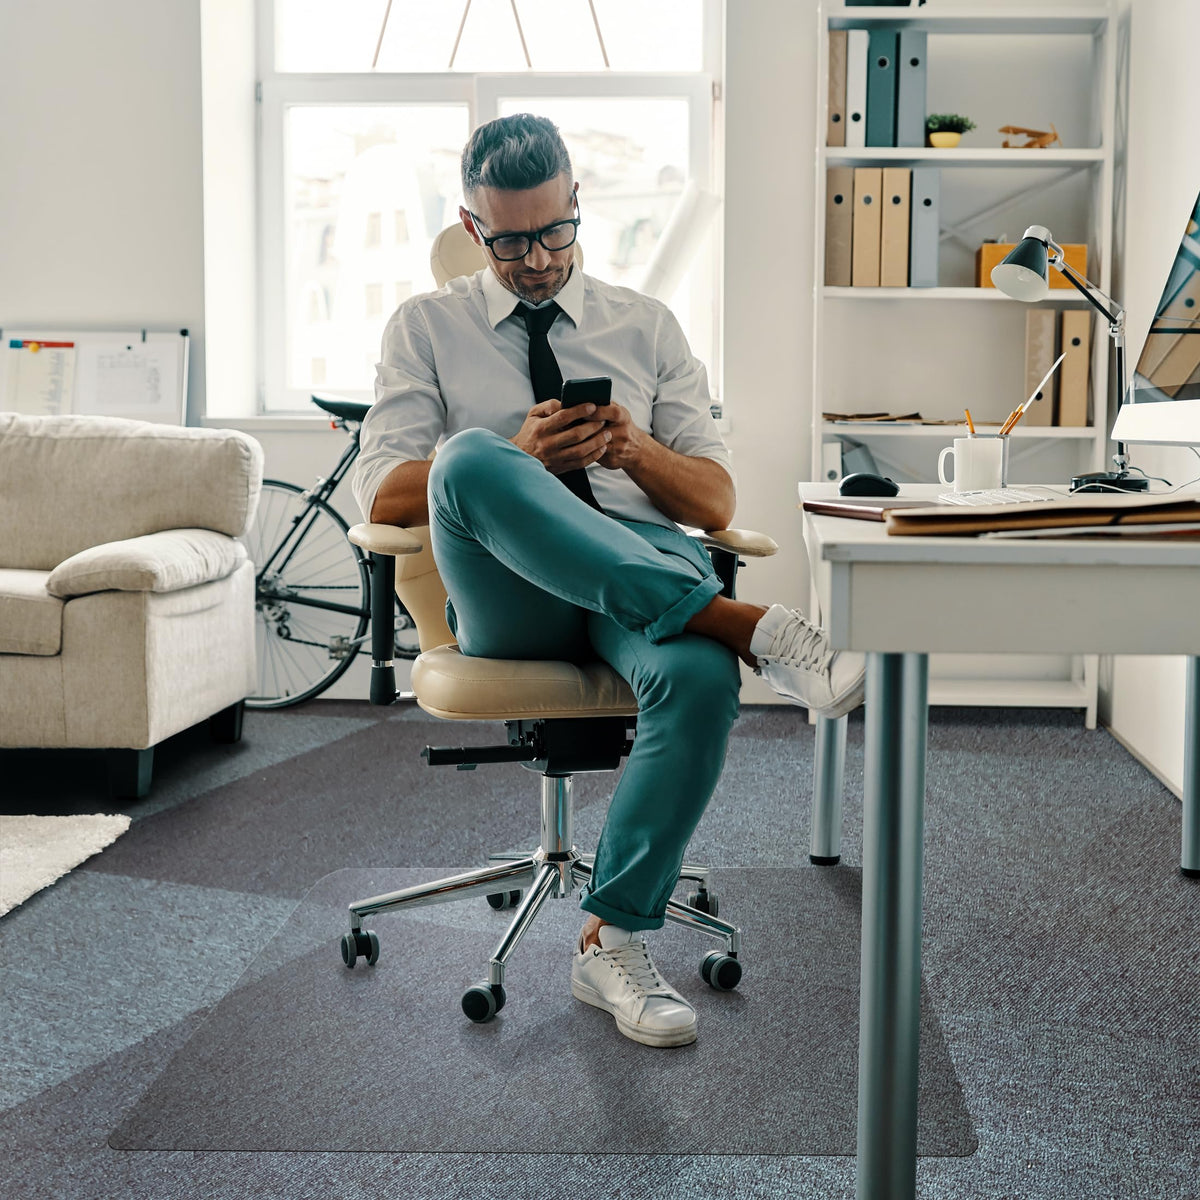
column 796, row 659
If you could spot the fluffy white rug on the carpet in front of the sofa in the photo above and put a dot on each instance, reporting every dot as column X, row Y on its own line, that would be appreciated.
column 37, row 851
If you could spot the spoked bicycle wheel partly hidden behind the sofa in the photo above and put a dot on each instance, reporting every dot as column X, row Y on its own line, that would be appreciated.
column 311, row 597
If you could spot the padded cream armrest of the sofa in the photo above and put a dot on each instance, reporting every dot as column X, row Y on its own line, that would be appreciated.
column 157, row 562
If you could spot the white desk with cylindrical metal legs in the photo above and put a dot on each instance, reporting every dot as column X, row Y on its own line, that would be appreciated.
column 901, row 599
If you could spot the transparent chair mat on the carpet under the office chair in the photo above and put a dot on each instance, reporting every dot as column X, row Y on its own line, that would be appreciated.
column 305, row 1055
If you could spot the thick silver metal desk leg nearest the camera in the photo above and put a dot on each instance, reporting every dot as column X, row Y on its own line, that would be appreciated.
column 893, row 862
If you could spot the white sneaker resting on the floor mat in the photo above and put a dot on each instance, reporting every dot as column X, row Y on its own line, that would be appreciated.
column 620, row 977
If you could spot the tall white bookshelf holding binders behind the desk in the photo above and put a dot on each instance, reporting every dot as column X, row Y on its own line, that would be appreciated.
column 963, row 346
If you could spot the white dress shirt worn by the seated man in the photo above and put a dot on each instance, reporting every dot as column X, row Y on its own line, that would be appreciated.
column 458, row 359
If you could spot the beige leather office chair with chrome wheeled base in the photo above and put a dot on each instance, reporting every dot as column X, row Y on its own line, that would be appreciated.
column 561, row 719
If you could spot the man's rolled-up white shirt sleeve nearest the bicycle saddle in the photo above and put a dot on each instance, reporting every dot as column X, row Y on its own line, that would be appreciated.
column 410, row 413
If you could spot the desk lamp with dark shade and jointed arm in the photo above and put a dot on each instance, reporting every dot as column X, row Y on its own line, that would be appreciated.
column 1025, row 275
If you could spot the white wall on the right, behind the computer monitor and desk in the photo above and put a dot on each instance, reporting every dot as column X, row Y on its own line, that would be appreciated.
column 1143, row 699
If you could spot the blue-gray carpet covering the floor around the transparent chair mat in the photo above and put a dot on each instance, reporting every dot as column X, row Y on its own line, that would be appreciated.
column 1060, row 952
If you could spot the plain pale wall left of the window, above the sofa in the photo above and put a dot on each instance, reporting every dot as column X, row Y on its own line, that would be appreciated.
column 101, row 202
